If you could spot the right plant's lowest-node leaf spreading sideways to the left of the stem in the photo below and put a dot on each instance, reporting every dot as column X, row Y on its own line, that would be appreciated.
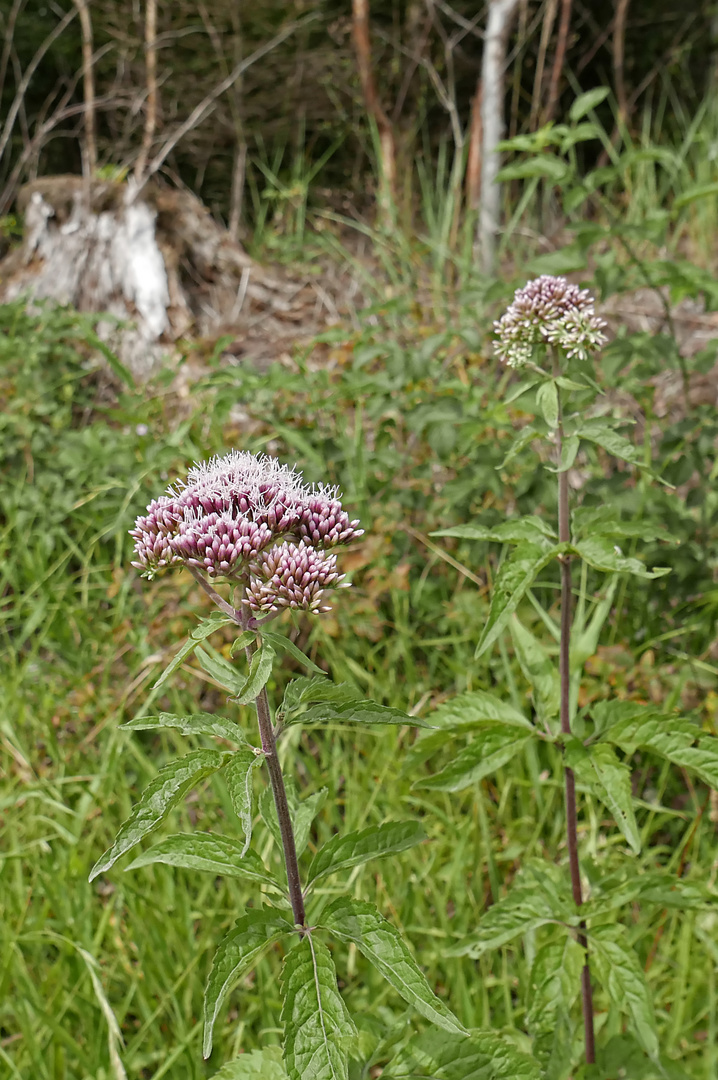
column 535, row 901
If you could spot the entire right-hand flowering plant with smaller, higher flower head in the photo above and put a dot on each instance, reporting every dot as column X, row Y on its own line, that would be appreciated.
column 552, row 334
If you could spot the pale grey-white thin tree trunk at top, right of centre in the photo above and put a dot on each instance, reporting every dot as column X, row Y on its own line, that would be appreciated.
column 498, row 29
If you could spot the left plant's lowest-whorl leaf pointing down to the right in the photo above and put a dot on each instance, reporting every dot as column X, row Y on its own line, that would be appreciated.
column 361, row 924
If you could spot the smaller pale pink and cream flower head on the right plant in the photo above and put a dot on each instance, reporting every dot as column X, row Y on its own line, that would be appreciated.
column 549, row 312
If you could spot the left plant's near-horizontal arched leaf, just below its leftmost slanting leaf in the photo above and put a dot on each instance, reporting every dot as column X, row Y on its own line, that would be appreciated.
column 207, row 852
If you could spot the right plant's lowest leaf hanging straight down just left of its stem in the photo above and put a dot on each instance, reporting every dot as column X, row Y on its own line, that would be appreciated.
column 553, row 988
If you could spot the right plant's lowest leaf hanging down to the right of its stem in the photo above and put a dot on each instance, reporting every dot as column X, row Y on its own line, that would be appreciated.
column 624, row 979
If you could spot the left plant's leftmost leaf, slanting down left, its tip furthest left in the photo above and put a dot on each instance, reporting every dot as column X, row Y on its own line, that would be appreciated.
column 164, row 793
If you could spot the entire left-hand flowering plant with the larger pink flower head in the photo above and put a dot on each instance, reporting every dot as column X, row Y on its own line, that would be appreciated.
column 261, row 542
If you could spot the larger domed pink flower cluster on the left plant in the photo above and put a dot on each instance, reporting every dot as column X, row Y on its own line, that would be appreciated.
column 249, row 519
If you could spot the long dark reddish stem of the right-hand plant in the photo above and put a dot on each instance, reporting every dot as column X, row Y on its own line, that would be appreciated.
column 565, row 674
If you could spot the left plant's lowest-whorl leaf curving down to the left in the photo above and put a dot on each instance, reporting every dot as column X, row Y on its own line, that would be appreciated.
column 238, row 954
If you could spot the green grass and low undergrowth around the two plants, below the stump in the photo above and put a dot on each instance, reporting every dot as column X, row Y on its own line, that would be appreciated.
column 409, row 416
